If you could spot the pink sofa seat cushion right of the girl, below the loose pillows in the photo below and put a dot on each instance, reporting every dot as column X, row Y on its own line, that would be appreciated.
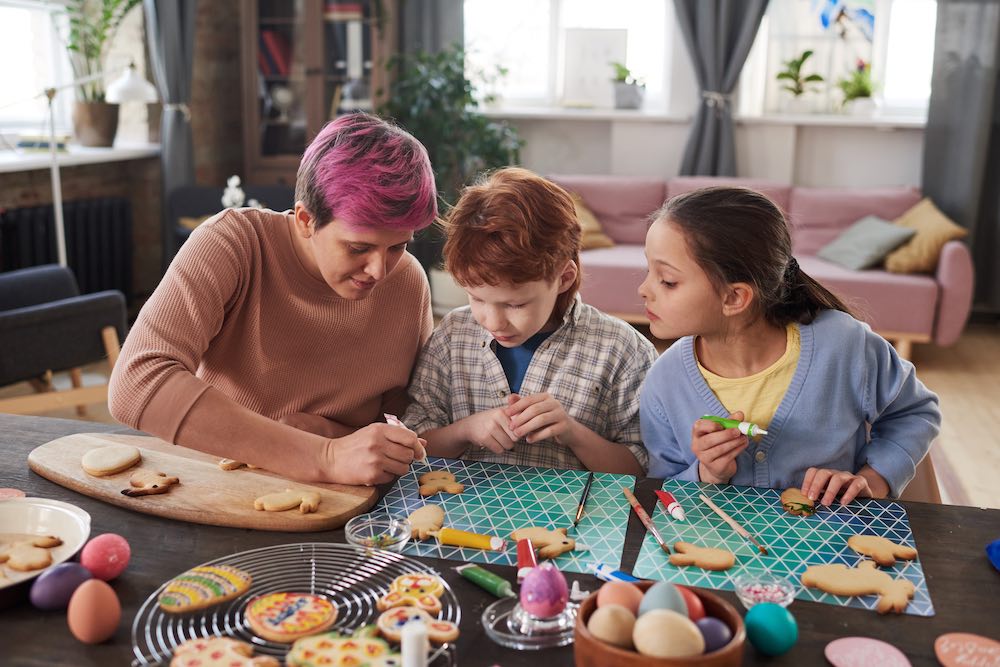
column 889, row 302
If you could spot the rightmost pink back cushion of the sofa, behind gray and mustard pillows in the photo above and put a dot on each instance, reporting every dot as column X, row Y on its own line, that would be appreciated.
column 816, row 216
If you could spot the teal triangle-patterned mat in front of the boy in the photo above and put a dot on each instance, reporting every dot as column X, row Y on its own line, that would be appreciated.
column 500, row 498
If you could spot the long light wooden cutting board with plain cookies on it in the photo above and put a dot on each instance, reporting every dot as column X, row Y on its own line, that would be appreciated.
column 206, row 493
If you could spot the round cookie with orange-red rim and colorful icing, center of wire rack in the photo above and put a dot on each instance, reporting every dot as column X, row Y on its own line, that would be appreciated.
column 285, row 617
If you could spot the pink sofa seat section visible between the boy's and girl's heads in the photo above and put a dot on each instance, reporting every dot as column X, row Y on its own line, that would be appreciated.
column 611, row 279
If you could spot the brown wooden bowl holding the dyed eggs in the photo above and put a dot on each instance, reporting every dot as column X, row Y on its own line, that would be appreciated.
column 589, row 651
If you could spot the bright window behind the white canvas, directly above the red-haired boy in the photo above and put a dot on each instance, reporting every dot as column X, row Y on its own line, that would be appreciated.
column 529, row 39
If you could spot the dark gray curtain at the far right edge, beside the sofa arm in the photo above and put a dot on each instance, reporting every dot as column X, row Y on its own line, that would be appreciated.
column 961, row 168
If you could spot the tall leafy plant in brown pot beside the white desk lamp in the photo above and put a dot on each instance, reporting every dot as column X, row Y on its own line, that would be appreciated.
column 91, row 26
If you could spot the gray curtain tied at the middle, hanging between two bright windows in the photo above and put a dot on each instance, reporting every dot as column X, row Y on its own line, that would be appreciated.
column 718, row 34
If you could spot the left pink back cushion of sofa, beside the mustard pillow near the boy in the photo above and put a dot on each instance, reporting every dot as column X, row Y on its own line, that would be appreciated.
column 621, row 203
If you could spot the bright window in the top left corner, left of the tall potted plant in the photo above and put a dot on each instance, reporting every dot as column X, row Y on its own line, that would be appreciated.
column 28, row 38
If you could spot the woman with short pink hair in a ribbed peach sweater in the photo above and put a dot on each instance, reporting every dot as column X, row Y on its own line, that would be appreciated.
column 278, row 339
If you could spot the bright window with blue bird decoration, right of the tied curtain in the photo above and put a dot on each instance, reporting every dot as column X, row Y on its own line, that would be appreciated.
column 894, row 37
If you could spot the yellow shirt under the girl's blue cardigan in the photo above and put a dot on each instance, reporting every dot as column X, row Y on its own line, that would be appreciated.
column 758, row 395
